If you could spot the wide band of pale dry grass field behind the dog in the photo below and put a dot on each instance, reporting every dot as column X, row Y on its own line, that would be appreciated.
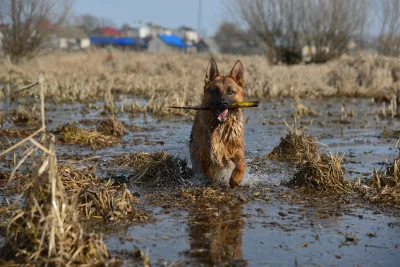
column 177, row 79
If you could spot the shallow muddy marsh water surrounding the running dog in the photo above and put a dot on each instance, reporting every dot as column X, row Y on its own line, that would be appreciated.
column 271, row 227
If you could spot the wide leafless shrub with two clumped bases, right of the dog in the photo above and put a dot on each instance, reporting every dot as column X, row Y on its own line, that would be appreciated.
column 287, row 25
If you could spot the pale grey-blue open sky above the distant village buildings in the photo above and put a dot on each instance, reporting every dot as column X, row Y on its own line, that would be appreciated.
column 167, row 13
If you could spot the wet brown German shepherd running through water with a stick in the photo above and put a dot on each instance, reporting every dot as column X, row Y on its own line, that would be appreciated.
column 216, row 142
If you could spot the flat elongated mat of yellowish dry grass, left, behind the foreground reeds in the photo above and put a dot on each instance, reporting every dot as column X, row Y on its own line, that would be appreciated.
column 71, row 134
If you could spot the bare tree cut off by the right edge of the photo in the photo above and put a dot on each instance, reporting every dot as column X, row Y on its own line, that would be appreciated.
column 388, row 16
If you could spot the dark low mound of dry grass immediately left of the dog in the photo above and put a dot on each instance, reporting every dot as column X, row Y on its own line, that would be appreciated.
column 158, row 169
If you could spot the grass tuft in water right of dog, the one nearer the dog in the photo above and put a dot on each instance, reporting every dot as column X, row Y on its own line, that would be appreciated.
column 295, row 145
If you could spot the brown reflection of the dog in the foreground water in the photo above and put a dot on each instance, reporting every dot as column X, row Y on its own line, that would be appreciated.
column 216, row 235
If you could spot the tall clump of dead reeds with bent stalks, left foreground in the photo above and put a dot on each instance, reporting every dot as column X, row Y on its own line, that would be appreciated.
column 47, row 231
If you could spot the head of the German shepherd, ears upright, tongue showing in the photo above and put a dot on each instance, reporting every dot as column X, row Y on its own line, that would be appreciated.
column 221, row 91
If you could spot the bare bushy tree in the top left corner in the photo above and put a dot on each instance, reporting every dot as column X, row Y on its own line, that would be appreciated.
column 29, row 20
